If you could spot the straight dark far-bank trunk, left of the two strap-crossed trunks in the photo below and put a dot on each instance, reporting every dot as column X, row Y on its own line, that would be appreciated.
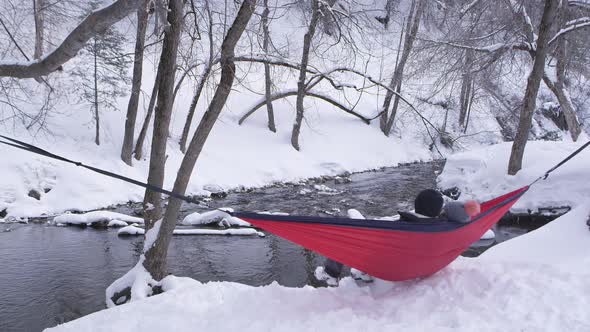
column 127, row 148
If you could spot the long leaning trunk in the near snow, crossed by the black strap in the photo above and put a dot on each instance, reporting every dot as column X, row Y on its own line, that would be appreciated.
column 157, row 259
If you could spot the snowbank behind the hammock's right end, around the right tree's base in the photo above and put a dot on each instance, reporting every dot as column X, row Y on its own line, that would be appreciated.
column 481, row 174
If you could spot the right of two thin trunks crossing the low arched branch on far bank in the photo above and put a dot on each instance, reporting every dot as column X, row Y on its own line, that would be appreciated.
column 302, row 73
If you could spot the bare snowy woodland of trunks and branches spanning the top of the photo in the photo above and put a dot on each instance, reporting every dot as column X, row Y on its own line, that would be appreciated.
column 441, row 64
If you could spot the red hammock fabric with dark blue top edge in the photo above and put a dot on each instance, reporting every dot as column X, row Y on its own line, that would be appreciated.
column 389, row 250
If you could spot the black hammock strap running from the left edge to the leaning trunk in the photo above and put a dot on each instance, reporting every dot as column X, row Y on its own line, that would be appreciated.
column 31, row 148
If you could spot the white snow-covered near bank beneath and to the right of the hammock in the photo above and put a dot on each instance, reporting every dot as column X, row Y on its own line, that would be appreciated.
column 536, row 282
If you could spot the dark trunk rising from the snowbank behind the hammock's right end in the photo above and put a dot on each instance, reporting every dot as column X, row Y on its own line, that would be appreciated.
column 533, row 82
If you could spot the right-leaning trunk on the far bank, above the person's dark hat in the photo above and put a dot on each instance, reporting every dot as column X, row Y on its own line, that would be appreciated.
column 413, row 23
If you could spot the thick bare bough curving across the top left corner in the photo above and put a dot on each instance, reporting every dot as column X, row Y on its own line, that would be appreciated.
column 98, row 21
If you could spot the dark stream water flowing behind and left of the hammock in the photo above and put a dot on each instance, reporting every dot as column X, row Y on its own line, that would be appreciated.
column 50, row 275
